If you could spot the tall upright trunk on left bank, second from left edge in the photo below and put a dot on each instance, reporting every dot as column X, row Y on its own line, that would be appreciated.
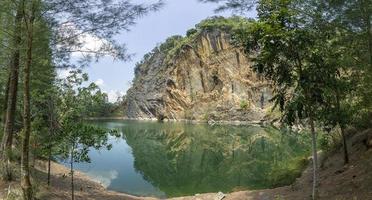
column 25, row 163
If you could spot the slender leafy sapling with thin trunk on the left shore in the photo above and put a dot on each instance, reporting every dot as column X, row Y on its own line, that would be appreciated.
column 76, row 137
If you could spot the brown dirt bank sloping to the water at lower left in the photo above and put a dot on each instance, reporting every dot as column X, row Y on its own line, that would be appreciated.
column 85, row 187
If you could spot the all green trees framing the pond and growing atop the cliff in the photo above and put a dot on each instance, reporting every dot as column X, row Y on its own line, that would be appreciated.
column 316, row 55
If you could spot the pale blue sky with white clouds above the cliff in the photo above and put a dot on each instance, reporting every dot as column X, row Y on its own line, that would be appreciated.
column 175, row 18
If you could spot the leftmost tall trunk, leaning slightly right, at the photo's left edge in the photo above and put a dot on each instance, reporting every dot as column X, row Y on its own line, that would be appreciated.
column 7, row 140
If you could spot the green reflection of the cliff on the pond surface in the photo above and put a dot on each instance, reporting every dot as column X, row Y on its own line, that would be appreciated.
column 183, row 159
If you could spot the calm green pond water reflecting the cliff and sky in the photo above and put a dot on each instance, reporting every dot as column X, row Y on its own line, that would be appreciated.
column 177, row 159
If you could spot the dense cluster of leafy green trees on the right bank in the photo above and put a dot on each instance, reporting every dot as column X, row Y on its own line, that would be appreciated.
column 311, row 51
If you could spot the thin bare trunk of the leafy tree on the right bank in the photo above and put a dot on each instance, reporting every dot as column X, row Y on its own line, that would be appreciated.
column 315, row 160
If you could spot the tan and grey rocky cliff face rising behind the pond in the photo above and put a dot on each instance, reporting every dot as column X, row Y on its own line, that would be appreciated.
column 201, row 76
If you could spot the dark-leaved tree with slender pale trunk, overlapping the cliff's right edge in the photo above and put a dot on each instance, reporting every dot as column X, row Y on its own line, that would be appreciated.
column 287, row 57
